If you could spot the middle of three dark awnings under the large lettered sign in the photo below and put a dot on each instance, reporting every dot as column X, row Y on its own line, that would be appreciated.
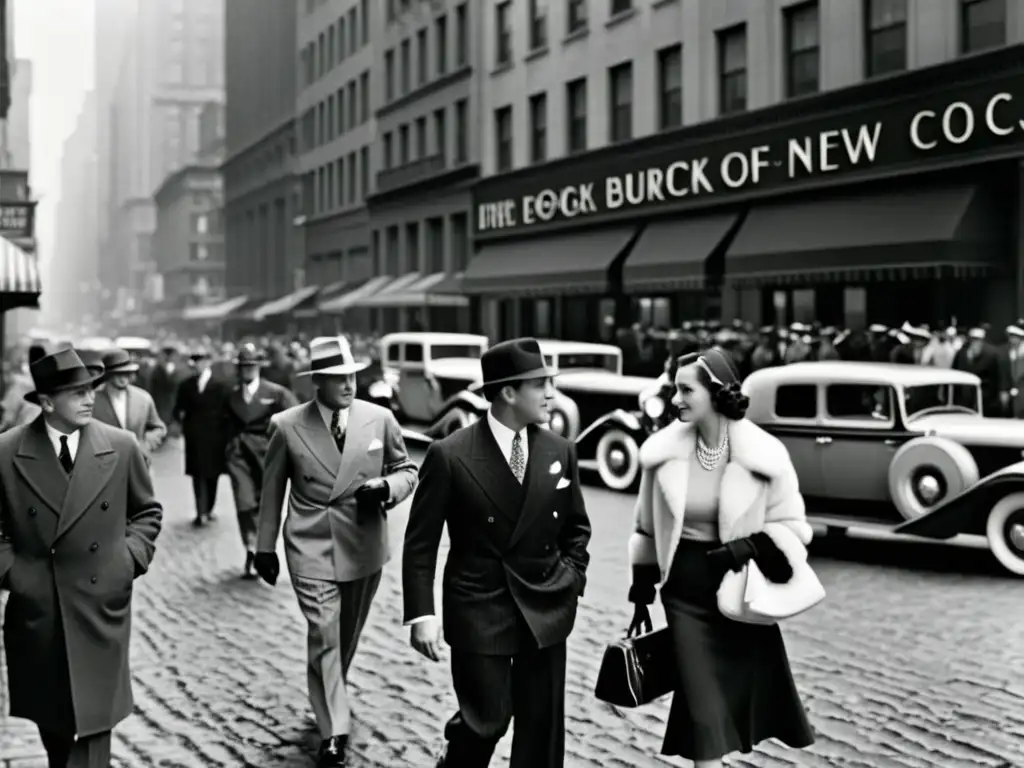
column 670, row 254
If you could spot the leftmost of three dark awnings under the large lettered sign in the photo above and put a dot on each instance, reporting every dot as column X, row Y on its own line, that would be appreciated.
column 570, row 264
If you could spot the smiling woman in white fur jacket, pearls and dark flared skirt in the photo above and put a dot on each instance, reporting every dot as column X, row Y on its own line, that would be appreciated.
column 717, row 492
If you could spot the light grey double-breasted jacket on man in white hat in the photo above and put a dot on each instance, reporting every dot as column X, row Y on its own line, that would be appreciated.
column 325, row 538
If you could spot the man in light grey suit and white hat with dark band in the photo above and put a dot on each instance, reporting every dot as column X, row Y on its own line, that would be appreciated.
column 348, row 465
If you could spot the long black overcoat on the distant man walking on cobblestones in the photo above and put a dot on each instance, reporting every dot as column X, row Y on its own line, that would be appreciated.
column 202, row 418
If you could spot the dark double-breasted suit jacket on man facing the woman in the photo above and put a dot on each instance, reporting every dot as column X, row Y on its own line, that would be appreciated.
column 516, row 550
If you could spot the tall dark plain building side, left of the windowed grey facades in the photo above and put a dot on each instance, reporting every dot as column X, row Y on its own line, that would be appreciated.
column 263, row 197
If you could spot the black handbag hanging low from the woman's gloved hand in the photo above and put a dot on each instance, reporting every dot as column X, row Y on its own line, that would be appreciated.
column 635, row 671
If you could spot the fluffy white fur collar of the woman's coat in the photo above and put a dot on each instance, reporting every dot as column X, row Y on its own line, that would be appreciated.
column 750, row 447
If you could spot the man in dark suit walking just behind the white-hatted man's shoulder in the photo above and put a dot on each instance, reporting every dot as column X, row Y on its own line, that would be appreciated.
column 248, row 410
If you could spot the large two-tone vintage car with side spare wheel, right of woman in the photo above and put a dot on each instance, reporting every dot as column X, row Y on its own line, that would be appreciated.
column 904, row 449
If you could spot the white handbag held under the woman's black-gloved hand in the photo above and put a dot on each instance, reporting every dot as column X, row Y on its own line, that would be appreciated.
column 747, row 596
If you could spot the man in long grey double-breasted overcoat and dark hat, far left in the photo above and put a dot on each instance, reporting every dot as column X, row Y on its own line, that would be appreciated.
column 78, row 525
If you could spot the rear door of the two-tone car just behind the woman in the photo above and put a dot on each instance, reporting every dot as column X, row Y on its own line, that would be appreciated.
column 796, row 424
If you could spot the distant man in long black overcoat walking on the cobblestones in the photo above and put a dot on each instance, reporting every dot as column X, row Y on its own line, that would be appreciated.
column 200, row 410
